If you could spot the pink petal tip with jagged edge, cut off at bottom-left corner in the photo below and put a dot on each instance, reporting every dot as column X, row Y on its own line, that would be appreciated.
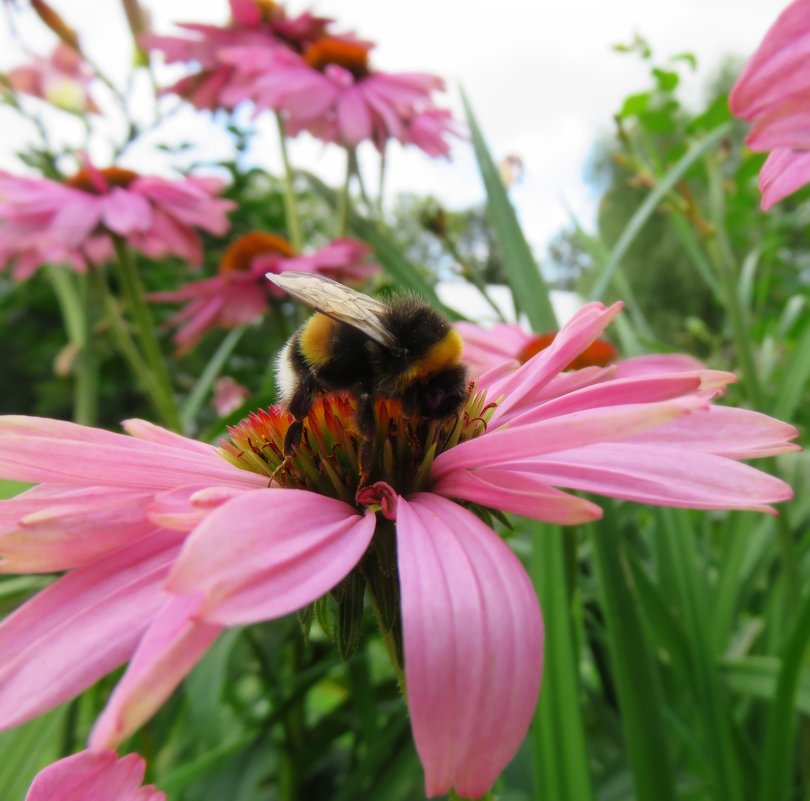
column 93, row 776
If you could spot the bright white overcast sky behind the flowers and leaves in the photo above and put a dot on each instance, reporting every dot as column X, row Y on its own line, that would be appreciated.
column 542, row 77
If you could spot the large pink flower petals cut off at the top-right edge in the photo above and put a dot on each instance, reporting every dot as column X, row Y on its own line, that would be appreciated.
column 772, row 93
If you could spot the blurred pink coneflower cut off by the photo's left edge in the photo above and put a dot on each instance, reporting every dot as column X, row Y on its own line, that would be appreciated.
column 44, row 221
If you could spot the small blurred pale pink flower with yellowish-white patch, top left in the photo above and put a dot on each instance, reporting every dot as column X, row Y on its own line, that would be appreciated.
column 63, row 80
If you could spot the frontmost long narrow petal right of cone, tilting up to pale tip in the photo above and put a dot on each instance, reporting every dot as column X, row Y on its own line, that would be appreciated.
column 562, row 433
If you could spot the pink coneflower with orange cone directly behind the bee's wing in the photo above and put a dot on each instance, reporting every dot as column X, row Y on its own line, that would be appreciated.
column 239, row 293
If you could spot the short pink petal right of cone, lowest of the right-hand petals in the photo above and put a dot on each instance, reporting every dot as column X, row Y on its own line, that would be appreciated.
column 522, row 494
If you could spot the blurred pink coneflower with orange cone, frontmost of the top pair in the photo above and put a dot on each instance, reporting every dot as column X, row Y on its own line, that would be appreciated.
column 331, row 91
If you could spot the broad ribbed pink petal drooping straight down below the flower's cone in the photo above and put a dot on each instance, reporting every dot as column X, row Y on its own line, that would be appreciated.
column 473, row 641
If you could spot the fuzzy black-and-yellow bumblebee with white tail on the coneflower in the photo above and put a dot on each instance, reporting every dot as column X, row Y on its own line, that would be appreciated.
column 401, row 349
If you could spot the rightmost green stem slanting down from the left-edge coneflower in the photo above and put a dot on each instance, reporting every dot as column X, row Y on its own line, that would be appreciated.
column 136, row 301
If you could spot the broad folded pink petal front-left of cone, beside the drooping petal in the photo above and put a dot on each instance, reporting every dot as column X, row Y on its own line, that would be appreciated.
column 288, row 549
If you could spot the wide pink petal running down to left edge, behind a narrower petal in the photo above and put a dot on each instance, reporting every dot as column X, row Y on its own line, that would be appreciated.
column 81, row 627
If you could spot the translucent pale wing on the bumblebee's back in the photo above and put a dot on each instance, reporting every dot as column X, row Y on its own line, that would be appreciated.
column 338, row 301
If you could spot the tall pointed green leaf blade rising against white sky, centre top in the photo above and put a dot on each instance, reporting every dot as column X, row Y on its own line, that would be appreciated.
column 528, row 287
